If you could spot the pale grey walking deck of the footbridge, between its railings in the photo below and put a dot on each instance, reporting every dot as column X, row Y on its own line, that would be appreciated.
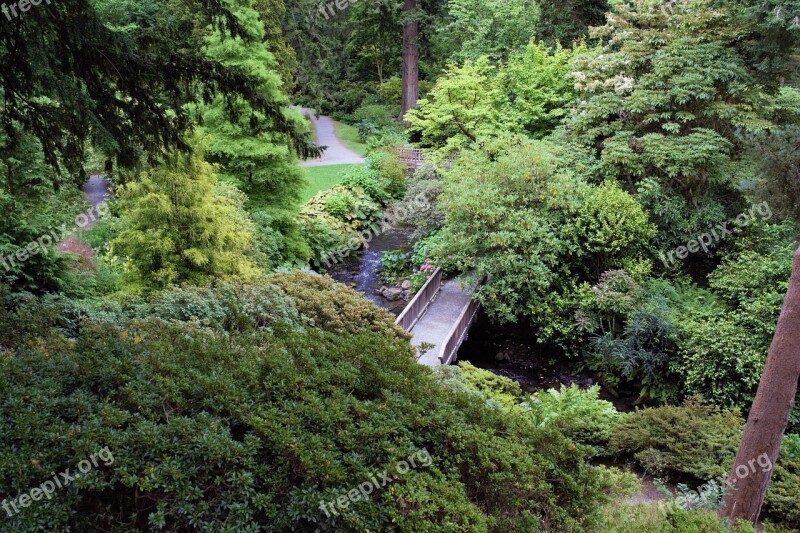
column 440, row 317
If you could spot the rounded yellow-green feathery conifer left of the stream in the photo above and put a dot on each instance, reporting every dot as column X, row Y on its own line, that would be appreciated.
column 175, row 229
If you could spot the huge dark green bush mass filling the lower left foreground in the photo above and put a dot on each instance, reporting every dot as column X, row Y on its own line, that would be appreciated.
column 248, row 428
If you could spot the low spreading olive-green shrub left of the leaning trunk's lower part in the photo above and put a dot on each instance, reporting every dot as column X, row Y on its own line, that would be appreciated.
column 694, row 439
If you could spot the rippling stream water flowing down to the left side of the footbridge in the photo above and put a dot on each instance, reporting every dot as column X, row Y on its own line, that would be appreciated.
column 361, row 269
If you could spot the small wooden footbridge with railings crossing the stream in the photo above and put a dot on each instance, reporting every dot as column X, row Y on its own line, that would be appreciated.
column 439, row 318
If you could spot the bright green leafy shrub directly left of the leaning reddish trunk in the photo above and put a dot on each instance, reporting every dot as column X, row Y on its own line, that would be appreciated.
column 723, row 347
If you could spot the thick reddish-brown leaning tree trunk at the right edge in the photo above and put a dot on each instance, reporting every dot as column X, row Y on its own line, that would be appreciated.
column 770, row 412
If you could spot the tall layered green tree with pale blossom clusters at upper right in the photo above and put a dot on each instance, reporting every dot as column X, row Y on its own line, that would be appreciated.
column 666, row 94
